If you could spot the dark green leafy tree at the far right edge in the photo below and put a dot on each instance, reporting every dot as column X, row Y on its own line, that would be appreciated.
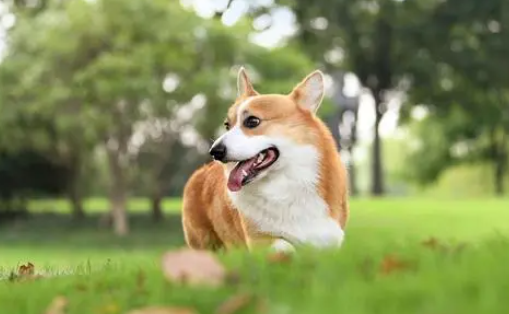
column 463, row 85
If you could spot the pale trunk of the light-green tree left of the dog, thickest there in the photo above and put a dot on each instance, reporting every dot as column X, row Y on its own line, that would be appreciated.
column 118, row 194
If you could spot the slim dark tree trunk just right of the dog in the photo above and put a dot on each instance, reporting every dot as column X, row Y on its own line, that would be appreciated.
column 377, row 187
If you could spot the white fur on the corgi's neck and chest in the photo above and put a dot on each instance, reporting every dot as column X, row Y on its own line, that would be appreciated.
column 285, row 202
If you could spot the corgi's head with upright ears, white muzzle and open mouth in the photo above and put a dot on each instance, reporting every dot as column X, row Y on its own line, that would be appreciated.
column 264, row 132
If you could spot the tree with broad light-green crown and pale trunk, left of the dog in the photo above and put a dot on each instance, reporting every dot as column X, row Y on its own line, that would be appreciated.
column 91, row 66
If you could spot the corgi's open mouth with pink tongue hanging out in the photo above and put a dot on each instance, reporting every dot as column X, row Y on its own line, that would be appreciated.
column 245, row 171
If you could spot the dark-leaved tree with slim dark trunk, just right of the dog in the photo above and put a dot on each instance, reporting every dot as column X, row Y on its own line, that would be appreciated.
column 360, row 37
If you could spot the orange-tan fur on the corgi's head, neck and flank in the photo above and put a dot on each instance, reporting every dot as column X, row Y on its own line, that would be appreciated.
column 210, row 221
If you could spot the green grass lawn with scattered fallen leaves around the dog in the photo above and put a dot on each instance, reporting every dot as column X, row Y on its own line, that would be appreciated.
column 100, row 273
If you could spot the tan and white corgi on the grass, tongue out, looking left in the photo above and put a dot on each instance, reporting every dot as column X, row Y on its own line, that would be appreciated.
column 276, row 180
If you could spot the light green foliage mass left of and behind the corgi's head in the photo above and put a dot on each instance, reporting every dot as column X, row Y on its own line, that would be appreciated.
column 81, row 74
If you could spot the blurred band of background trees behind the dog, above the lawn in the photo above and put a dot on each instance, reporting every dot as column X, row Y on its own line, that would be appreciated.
column 121, row 98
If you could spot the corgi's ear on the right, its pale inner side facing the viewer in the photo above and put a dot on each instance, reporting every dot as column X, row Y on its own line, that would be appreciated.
column 309, row 93
